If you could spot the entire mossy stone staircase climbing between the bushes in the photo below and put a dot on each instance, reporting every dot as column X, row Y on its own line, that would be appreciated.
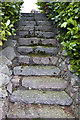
column 38, row 89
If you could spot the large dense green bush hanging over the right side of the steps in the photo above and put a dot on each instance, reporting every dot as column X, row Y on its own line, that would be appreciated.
column 67, row 17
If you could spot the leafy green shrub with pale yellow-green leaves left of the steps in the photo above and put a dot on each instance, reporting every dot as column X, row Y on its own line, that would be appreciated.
column 9, row 15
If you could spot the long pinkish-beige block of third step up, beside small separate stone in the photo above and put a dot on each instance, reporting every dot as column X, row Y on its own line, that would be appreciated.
column 44, row 83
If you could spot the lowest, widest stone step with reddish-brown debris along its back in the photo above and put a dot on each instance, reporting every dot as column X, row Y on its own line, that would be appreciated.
column 17, row 111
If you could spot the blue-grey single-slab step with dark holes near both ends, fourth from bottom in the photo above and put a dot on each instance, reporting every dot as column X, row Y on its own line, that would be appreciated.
column 36, row 70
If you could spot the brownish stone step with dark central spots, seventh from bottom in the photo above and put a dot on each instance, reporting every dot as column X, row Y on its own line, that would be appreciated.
column 37, row 41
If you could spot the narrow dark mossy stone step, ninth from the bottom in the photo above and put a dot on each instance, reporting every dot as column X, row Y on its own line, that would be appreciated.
column 36, row 28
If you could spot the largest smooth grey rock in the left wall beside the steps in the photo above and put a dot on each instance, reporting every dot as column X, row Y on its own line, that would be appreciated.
column 8, row 52
